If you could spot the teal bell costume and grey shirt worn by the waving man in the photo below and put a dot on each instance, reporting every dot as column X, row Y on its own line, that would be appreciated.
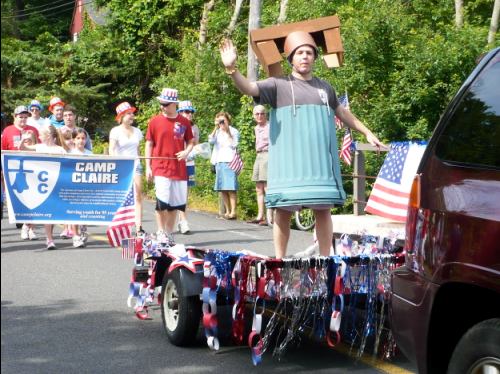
column 304, row 167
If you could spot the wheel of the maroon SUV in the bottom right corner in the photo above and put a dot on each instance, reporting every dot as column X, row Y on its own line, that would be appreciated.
column 478, row 350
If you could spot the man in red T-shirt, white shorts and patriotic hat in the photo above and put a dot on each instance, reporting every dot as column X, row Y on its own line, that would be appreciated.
column 169, row 140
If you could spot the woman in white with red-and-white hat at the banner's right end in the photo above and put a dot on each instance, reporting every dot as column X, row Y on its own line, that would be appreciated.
column 124, row 140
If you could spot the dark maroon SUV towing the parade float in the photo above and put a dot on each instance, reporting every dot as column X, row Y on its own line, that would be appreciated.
column 445, row 301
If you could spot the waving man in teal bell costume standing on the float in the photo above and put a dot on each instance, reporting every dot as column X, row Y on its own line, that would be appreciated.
column 304, row 168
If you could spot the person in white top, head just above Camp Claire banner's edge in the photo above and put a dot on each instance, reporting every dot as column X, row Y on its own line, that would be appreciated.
column 50, row 142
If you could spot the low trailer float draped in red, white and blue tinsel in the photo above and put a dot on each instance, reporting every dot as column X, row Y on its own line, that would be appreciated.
column 272, row 303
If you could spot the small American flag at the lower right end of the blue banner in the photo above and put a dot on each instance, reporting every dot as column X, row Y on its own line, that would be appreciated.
column 119, row 228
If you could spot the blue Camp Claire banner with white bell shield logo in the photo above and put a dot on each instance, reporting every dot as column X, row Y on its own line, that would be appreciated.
column 65, row 189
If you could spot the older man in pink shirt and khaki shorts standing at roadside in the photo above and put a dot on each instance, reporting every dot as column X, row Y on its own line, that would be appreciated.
column 259, row 175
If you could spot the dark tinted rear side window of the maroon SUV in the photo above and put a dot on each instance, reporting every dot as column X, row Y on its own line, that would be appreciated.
column 472, row 135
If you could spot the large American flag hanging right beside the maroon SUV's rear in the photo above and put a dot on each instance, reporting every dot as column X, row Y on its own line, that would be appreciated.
column 390, row 194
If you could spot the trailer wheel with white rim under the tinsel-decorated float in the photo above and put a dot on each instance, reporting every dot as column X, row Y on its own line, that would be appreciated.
column 180, row 314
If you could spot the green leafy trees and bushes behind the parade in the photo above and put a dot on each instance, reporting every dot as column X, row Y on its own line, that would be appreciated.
column 404, row 60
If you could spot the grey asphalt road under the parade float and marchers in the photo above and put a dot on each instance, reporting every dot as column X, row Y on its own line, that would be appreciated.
column 65, row 311
